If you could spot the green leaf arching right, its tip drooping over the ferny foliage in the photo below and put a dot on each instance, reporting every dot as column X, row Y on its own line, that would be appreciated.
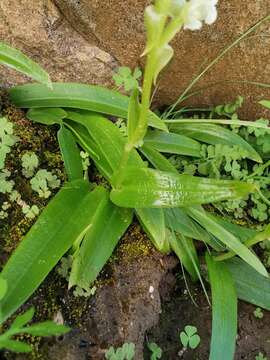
column 215, row 134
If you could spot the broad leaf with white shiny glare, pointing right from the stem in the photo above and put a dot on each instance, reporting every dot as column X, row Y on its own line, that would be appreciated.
column 148, row 188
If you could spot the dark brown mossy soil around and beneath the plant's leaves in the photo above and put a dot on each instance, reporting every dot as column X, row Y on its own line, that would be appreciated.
column 141, row 296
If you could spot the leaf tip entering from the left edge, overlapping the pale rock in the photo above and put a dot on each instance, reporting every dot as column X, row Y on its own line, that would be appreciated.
column 16, row 60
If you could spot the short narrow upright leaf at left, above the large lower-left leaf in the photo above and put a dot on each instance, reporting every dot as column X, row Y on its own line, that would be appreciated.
column 70, row 154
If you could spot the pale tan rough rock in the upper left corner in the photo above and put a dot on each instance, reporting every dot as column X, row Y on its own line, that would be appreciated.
column 40, row 31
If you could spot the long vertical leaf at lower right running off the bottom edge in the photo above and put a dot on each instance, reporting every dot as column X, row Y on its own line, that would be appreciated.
column 224, row 311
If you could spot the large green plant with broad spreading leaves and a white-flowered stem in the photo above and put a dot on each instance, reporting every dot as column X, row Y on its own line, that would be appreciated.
column 167, row 203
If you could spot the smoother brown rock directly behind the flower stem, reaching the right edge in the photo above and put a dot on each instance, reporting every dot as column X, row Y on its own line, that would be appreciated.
column 117, row 26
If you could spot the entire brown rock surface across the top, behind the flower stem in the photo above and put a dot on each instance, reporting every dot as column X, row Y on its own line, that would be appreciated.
column 80, row 40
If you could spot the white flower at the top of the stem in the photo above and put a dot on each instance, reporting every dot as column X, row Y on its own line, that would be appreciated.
column 199, row 11
